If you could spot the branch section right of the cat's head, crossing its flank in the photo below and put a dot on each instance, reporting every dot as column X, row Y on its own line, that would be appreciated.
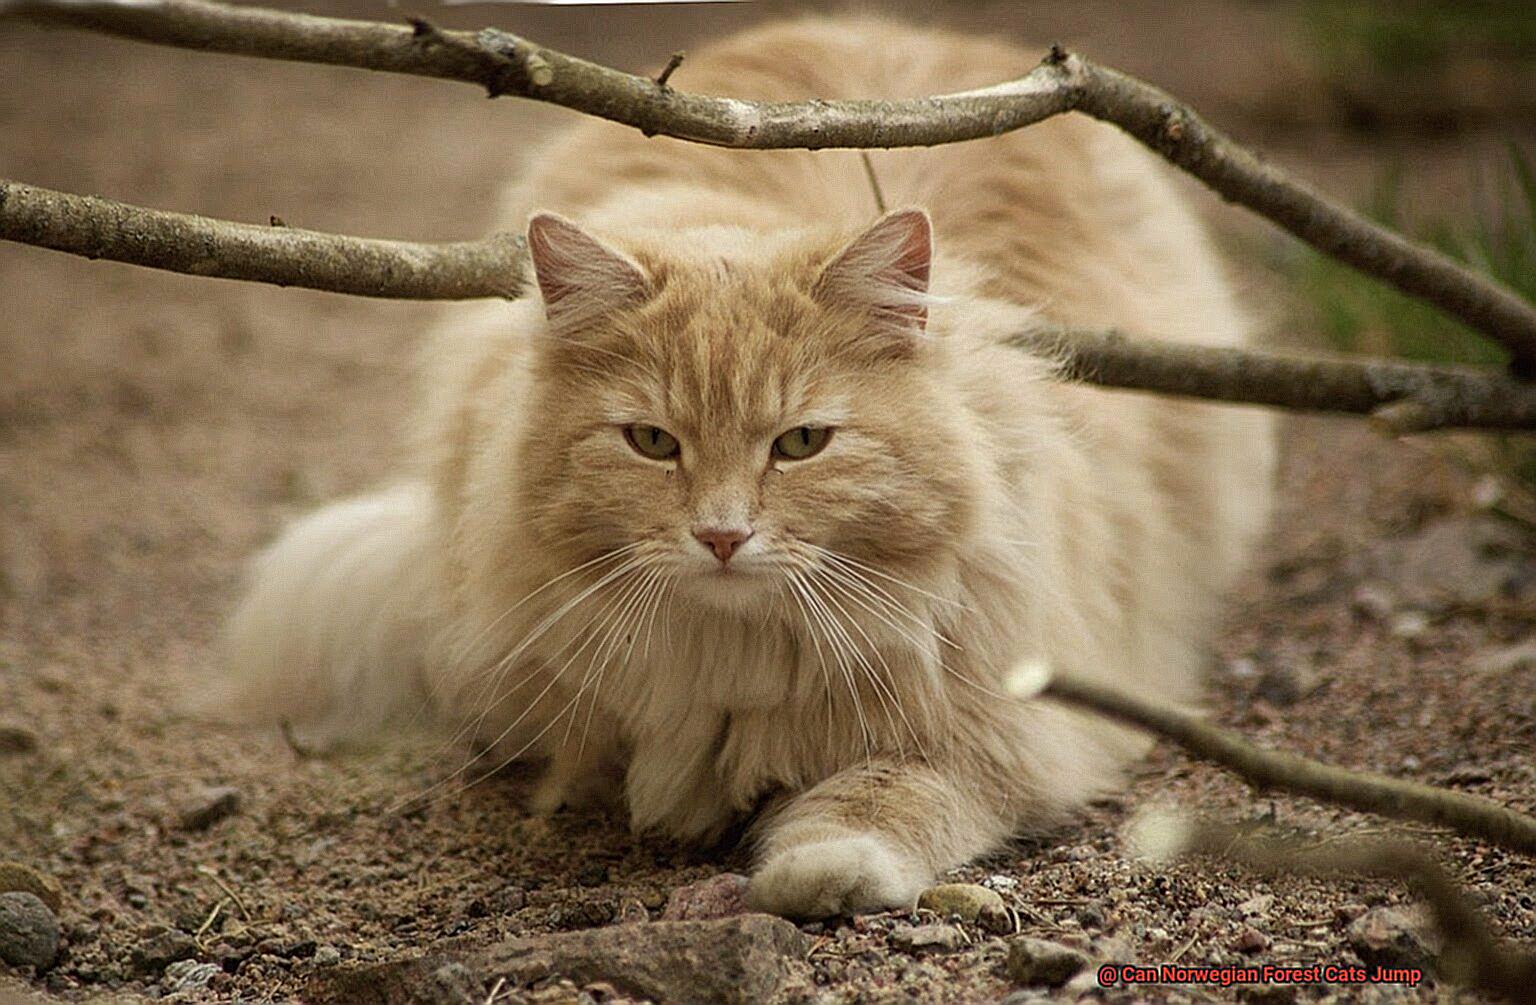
column 1400, row 397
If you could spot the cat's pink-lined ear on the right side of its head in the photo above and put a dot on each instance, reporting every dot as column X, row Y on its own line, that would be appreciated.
column 886, row 270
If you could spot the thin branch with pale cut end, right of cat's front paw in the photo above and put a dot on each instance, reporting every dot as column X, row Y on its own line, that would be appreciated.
column 1286, row 772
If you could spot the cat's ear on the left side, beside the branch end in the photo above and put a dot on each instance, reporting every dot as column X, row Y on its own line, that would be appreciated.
column 580, row 277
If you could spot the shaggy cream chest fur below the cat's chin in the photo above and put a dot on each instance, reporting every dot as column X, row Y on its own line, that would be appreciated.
column 726, row 712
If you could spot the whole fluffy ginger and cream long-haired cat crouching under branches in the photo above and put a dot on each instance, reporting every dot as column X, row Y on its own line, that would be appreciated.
column 749, row 512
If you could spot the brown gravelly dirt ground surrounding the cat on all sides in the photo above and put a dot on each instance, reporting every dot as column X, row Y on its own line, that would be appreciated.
column 156, row 430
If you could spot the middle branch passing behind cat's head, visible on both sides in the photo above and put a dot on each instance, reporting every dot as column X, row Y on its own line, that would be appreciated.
column 1403, row 397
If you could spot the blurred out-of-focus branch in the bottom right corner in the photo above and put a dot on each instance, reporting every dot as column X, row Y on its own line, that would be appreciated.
column 1471, row 955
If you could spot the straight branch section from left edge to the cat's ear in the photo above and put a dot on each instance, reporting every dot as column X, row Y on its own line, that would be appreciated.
column 99, row 228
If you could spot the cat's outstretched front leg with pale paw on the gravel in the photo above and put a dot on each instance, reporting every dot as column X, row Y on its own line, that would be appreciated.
column 872, row 838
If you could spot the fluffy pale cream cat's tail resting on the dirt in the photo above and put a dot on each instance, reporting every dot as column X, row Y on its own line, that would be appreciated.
column 334, row 628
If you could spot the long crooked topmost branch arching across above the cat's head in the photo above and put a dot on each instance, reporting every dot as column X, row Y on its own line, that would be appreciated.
column 506, row 64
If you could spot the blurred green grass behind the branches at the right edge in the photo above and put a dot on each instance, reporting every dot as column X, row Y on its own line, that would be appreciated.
column 1498, row 237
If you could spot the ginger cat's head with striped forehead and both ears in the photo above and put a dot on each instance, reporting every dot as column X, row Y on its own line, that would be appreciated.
column 741, row 416
